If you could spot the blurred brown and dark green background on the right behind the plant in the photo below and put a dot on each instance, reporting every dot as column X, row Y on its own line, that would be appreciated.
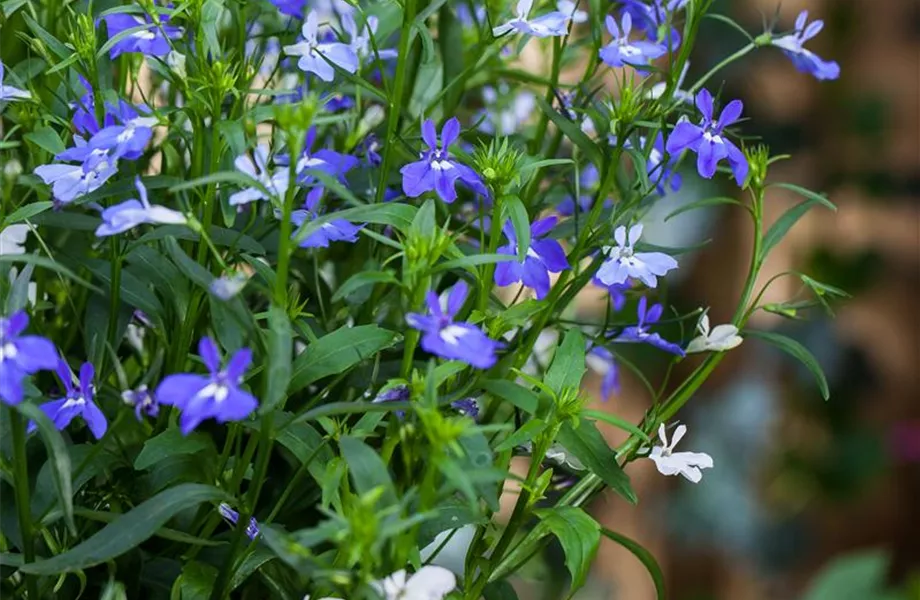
column 808, row 499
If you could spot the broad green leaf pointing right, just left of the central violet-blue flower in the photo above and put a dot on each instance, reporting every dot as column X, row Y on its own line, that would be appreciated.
column 337, row 352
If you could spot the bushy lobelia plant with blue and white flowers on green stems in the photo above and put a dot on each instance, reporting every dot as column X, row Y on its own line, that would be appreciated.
column 265, row 181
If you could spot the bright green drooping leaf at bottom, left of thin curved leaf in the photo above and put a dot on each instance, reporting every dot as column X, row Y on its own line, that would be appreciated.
column 579, row 535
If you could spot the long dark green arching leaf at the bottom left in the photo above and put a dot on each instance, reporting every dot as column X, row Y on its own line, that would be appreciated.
column 128, row 531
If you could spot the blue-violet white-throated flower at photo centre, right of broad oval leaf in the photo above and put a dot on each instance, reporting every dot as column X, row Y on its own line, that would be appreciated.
column 454, row 341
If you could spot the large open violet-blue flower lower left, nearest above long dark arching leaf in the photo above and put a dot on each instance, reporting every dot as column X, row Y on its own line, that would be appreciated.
column 217, row 395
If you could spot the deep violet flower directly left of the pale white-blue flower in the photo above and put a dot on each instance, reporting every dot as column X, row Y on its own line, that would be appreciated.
column 544, row 256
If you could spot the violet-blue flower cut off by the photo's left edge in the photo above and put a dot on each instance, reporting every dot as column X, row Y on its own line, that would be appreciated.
column 21, row 355
